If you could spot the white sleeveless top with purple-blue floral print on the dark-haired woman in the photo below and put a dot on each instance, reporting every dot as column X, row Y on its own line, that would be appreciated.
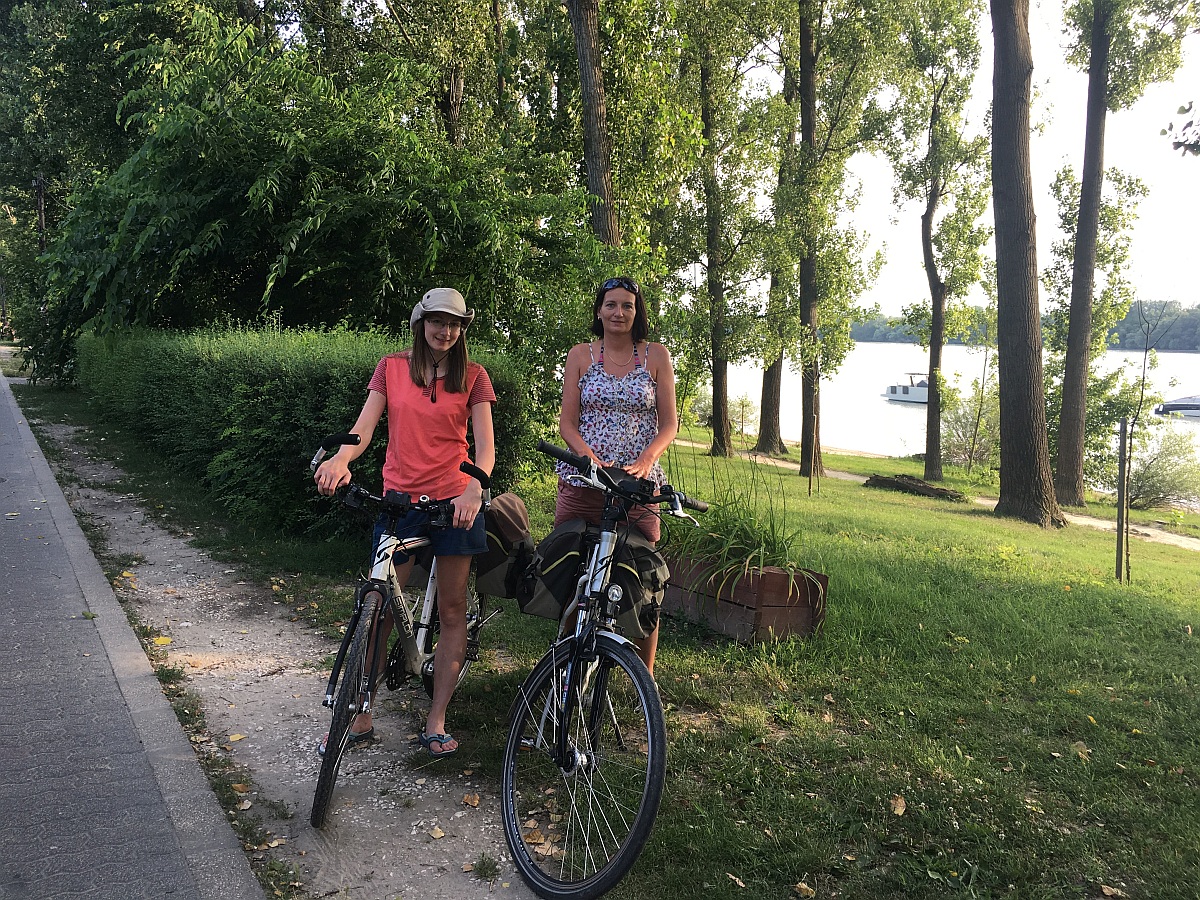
column 619, row 417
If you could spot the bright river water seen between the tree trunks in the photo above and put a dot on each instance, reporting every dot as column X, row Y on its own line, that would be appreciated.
column 856, row 417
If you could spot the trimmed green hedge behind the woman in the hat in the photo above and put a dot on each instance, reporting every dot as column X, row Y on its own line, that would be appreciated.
column 242, row 411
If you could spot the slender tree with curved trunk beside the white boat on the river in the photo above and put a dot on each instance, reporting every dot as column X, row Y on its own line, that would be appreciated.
column 940, row 165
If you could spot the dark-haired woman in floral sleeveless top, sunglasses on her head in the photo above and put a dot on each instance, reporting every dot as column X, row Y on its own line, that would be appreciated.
column 619, row 410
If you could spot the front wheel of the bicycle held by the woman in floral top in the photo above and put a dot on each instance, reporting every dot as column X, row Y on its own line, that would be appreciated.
column 575, row 833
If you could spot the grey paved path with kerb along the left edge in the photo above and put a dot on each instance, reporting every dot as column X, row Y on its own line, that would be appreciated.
column 101, row 795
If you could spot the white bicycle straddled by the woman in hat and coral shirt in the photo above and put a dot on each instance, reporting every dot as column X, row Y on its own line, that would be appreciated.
column 357, row 669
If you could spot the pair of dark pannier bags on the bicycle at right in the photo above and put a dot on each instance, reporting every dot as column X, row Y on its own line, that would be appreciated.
column 551, row 579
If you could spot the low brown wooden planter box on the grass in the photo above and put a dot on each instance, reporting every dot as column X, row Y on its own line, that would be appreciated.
column 764, row 605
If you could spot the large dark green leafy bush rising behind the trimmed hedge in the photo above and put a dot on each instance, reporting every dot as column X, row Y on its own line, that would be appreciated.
column 262, row 185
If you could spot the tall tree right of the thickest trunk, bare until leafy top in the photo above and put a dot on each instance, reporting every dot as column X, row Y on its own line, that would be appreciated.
column 1124, row 46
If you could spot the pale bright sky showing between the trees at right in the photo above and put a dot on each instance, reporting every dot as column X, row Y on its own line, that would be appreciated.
column 1163, row 257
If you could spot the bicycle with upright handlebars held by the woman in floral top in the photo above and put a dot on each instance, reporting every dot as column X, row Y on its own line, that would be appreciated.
column 586, row 754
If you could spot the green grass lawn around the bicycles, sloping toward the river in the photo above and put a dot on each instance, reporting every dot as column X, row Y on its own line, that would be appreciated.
column 987, row 713
